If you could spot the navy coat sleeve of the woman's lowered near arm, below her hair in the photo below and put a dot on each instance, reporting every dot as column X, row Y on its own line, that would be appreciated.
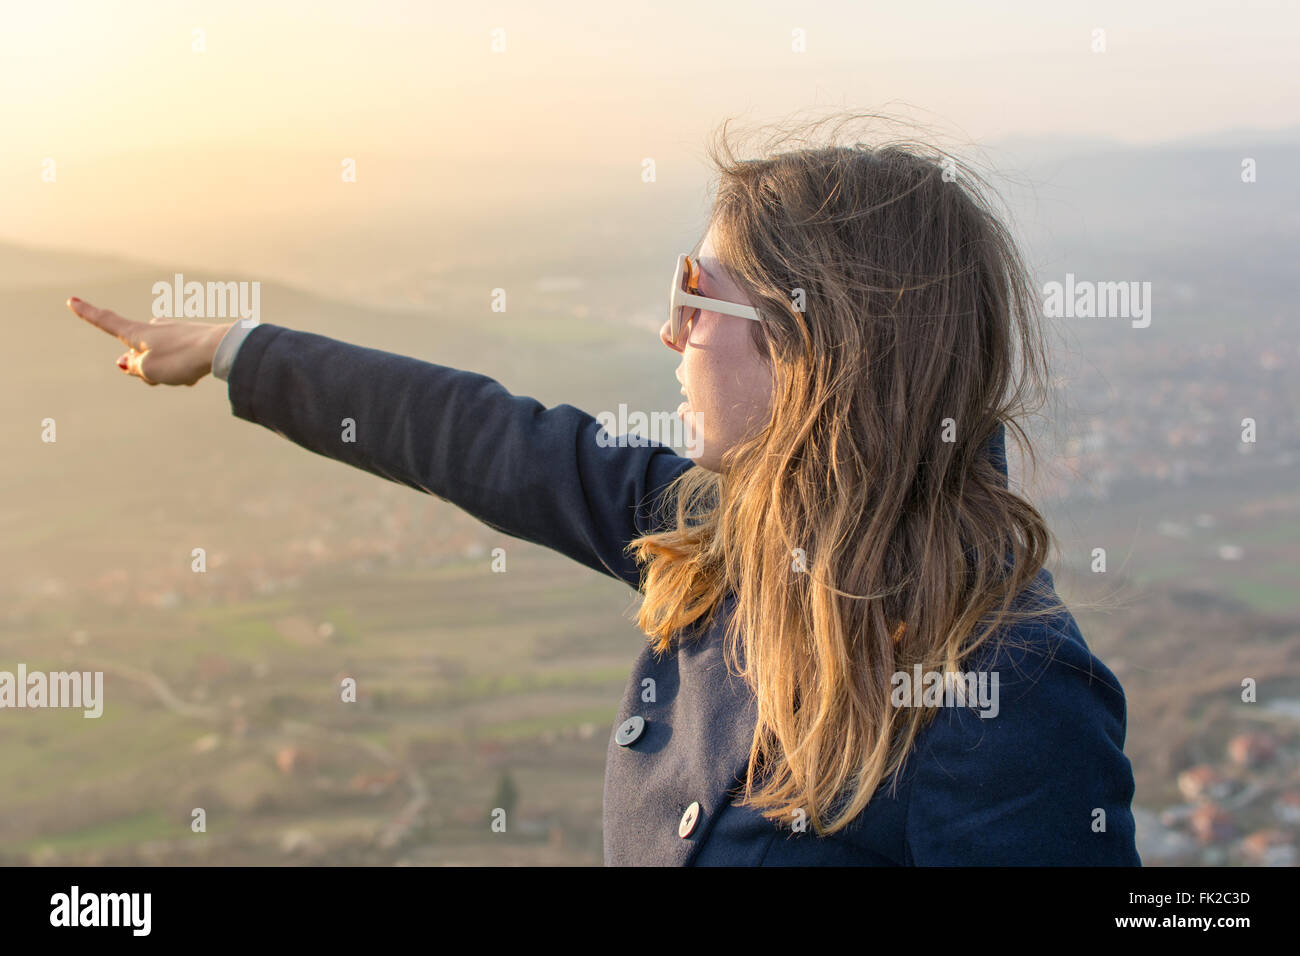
column 1034, row 785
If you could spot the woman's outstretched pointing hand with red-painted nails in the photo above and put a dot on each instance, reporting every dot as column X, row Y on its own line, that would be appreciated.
column 161, row 352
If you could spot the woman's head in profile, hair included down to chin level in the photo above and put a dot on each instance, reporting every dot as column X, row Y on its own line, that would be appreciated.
column 894, row 301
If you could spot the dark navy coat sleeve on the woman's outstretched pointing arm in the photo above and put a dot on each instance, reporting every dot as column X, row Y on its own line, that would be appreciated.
column 539, row 474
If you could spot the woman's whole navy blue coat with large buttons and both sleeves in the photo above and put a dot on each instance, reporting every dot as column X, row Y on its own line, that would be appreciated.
column 1029, row 788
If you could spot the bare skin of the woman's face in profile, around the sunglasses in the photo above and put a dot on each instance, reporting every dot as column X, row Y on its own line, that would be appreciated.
column 726, row 382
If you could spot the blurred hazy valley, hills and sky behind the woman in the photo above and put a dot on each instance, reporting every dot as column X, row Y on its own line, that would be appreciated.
column 482, row 690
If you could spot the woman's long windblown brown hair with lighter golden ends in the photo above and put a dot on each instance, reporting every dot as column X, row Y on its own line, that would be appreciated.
column 863, row 531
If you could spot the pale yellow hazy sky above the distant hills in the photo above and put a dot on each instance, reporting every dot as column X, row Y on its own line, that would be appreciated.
column 161, row 150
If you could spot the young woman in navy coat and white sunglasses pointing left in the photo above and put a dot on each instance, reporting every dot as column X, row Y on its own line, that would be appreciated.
column 856, row 654
